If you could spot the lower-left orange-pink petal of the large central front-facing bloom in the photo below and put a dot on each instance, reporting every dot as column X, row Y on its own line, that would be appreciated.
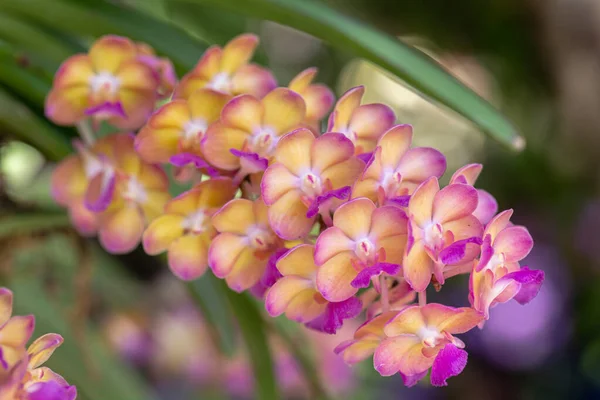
column 287, row 216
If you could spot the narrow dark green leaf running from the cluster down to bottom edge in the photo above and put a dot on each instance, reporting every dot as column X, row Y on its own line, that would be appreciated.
column 254, row 333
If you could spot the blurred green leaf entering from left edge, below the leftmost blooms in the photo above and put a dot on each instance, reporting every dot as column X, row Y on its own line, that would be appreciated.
column 18, row 224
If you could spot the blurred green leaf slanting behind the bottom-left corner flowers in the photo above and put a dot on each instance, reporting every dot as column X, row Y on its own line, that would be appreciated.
column 95, row 371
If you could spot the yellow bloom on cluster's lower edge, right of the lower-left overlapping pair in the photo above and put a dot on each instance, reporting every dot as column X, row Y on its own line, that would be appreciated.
column 185, row 230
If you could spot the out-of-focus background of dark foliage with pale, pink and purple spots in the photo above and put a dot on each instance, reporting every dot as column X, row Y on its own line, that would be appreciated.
column 133, row 332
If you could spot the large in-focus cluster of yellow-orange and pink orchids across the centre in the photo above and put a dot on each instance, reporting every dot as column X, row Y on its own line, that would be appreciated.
column 325, row 226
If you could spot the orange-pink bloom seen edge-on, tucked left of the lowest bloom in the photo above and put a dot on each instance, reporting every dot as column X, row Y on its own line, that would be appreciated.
column 366, row 339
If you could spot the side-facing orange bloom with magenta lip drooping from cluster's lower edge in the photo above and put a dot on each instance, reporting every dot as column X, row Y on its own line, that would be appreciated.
column 296, row 294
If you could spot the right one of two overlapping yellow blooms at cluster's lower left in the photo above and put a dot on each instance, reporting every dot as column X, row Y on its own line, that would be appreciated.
column 139, row 196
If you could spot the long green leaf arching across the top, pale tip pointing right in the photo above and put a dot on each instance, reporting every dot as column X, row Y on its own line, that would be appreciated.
column 414, row 67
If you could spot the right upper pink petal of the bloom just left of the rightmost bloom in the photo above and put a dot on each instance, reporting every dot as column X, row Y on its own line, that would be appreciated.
column 454, row 202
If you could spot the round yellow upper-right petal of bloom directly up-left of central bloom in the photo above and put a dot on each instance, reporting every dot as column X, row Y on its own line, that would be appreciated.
column 284, row 110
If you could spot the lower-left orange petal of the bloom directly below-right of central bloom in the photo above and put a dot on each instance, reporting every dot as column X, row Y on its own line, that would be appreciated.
column 334, row 277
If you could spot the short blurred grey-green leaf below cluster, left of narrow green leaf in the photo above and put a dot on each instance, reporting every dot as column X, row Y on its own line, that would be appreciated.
column 208, row 294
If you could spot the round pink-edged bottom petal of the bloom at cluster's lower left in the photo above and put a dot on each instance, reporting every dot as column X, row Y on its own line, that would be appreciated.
column 121, row 230
